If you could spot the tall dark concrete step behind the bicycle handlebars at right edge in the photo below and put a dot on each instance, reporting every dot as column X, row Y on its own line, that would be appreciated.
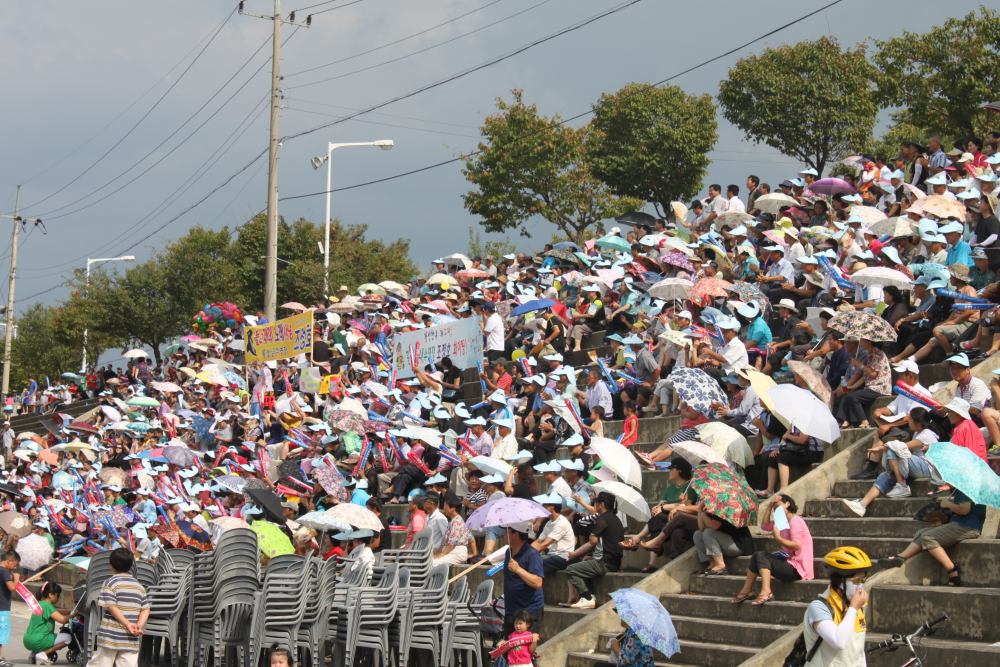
column 973, row 612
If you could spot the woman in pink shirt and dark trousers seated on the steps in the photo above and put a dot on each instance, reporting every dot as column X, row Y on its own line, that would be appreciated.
column 793, row 563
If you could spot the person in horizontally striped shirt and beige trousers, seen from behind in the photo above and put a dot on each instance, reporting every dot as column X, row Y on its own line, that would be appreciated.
column 126, row 612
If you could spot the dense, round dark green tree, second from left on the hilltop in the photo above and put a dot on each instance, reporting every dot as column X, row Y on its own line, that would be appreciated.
column 652, row 143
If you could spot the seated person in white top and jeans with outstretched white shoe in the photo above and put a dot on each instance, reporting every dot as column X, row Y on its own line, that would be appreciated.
column 903, row 460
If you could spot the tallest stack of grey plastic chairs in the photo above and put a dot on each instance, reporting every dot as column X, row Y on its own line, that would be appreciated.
column 224, row 582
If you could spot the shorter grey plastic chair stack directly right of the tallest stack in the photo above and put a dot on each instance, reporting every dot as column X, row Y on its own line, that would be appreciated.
column 280, row 606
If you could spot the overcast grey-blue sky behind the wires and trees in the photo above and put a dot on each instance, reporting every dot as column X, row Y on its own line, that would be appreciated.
column 78, row 77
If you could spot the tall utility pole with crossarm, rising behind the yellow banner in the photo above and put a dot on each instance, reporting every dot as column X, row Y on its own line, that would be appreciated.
column 271, row 249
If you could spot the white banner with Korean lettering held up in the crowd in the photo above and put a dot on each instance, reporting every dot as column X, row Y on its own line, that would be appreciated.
column 461, row 341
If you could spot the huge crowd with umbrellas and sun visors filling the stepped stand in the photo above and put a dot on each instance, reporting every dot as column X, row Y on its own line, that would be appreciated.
column 827, row 285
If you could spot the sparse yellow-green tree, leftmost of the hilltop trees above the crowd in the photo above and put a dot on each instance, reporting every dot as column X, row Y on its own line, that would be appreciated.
column 531, row 165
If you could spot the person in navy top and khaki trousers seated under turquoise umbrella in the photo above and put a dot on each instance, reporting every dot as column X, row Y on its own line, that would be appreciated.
column 965, row 523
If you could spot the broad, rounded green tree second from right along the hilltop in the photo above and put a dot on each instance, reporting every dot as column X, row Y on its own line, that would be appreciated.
column 813, row 101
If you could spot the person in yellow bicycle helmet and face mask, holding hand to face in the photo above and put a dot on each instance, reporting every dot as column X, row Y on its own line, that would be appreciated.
column 837, row 618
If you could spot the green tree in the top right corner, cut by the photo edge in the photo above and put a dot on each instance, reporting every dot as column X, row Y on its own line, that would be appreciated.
column 943, row 77
